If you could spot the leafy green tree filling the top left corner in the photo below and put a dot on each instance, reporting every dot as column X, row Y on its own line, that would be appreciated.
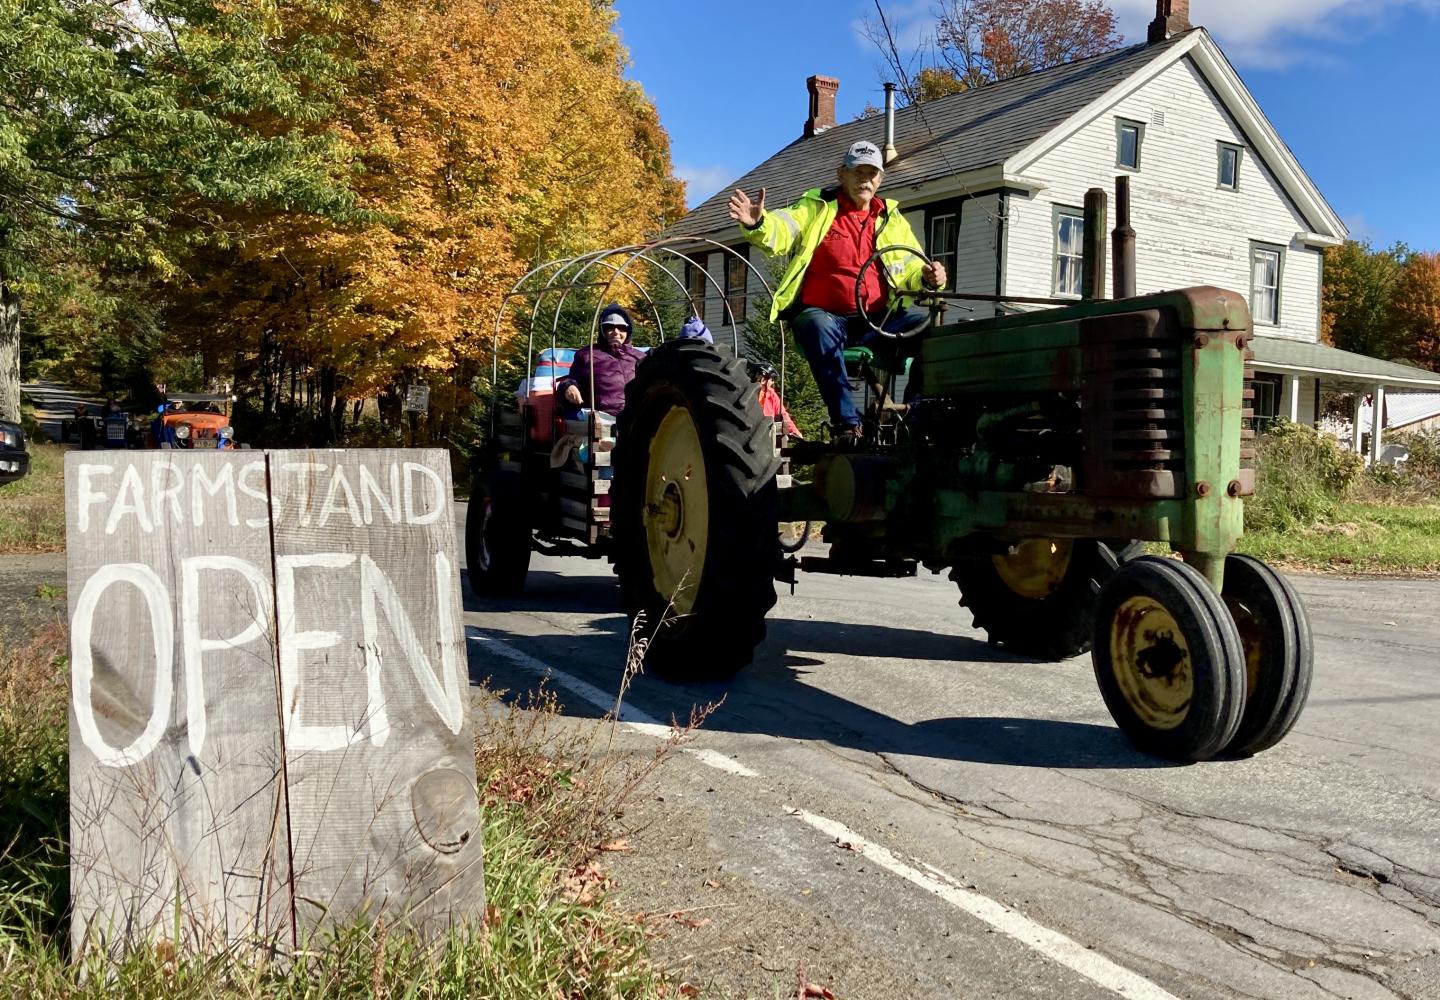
column 122, row 125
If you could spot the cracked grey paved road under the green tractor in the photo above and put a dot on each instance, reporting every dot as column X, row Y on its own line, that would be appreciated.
column 948, row 821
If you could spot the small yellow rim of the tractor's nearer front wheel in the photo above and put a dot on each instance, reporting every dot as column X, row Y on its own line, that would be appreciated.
column 1151, row 662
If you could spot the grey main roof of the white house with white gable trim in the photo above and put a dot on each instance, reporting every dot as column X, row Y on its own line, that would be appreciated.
column 989, row 136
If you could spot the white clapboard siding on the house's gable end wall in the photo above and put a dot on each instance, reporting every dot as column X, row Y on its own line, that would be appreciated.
column 1189, row 231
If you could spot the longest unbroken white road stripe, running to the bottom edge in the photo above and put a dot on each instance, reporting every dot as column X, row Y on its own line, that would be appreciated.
column 1055, row 946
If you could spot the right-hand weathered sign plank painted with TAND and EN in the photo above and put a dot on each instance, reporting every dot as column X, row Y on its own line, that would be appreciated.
column 375, row 688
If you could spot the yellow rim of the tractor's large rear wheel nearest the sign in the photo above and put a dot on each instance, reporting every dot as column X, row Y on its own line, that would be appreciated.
column 678, row 511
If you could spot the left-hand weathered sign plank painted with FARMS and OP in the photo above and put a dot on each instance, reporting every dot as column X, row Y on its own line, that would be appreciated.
column 176, row 795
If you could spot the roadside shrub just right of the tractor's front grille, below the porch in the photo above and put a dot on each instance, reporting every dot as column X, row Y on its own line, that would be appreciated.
column 1301, row 478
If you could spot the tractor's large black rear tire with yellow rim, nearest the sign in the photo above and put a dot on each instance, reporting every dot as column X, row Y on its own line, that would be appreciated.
column 693, row 511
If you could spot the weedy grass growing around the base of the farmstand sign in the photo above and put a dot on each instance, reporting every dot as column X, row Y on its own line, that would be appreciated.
column 551, row 798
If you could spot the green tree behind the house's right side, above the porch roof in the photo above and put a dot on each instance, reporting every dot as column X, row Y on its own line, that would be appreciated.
column 1356, row 299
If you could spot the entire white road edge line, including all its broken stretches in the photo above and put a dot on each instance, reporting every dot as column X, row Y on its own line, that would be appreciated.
column 1055, row 946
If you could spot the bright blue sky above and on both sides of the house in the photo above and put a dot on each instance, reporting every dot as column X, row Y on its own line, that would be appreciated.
column 1350, row 86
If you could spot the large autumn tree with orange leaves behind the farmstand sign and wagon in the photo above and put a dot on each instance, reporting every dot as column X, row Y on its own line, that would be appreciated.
column 487, row 138
